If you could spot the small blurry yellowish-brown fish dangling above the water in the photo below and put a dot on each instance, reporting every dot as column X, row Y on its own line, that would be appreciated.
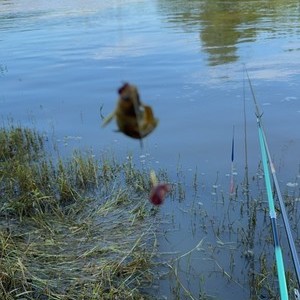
column 133, row 118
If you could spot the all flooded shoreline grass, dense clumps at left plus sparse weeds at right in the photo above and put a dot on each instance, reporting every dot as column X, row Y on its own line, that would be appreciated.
column 82, row 228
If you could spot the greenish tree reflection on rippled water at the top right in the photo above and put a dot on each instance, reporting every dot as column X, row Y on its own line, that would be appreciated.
column 223, row 25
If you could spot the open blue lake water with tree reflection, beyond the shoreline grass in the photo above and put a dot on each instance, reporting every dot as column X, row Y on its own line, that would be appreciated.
column 60, row 61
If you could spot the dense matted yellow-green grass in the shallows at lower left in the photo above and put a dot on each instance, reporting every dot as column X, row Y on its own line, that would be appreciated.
column 72, row 229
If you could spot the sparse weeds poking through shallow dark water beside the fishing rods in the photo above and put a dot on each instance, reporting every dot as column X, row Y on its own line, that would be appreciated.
column 233, row 254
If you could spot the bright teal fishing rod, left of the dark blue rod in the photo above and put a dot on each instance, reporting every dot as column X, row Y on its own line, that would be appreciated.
column 264, row 155
